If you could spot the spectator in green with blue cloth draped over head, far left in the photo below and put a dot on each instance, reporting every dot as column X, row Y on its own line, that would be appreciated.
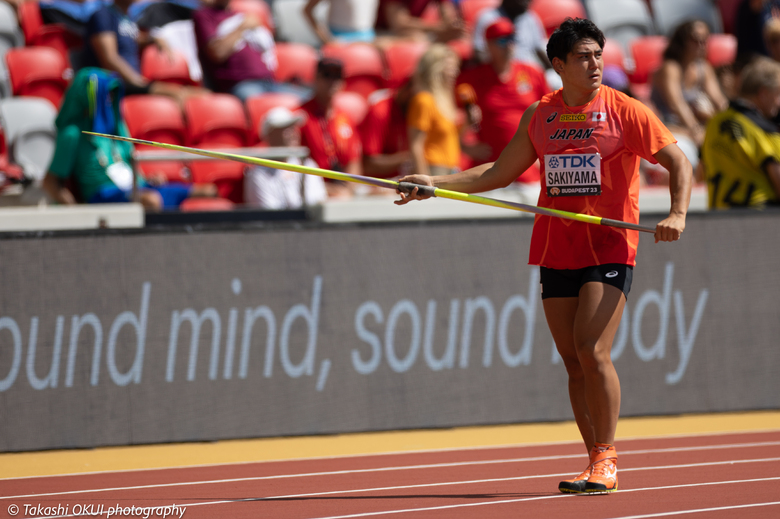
column 101, row 169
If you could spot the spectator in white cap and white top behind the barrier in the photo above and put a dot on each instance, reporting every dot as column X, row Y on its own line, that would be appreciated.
column 270, row 188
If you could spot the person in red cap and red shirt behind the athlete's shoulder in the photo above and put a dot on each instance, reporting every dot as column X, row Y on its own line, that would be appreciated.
column 502, row 89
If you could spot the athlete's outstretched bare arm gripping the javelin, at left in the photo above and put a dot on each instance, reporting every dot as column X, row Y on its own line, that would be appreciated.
column 517, row 156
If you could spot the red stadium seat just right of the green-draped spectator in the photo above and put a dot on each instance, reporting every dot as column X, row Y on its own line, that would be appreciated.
column 156, row 118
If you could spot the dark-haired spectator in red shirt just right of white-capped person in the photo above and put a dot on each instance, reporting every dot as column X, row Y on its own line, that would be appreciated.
column 328, row 133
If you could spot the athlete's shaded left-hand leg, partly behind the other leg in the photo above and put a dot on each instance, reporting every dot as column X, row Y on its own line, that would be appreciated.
column 561, row 313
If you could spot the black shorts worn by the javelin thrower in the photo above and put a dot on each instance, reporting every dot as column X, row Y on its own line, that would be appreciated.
column 567, row 283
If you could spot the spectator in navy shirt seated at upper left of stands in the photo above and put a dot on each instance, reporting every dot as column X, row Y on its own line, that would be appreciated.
column 112, row 42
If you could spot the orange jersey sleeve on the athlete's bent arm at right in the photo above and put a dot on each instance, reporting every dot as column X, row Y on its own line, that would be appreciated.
column 644, row 133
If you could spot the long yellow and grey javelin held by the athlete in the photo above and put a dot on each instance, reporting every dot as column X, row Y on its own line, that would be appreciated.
column 405, row 187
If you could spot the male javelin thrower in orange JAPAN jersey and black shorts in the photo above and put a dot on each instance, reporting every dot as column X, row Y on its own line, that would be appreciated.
column 589, row 139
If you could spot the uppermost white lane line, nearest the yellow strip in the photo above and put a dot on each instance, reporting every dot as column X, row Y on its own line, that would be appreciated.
column 403, row 453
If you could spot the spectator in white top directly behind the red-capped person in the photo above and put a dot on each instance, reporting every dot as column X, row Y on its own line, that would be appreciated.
column 530, row 36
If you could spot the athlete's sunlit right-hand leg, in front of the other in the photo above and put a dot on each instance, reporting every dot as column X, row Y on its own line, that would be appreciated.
column 599, row 310
